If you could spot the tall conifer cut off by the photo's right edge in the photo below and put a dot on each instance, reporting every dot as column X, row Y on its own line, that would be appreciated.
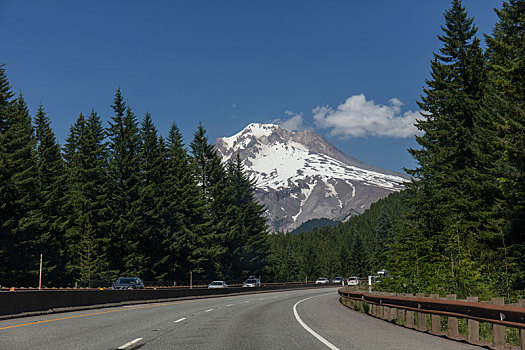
column 502, row 125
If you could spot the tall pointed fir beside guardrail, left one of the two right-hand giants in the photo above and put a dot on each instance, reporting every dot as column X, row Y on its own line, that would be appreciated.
column 444, row 196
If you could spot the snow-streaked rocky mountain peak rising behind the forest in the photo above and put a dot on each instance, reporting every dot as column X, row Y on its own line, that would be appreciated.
column 301, row 176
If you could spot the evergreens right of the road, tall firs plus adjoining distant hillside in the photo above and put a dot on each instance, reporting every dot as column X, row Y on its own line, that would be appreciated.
column 460, row 225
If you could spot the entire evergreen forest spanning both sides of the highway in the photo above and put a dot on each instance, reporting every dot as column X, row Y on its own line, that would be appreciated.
column 120, row 199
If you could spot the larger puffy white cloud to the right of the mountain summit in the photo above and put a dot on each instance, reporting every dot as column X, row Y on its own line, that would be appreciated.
column 357, row 117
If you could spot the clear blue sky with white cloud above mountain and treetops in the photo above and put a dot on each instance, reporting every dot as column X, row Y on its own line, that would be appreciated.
column 349, row 70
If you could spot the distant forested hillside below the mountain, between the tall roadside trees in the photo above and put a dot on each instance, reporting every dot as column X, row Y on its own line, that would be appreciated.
column 357, row 247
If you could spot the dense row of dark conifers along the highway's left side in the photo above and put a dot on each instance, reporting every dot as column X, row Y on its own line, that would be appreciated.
column 120, row 200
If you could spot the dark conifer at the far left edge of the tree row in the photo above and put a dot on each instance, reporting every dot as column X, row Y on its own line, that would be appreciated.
column 22, row 220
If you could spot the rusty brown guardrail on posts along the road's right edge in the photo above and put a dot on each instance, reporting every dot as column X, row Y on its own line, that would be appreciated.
column 401, row 308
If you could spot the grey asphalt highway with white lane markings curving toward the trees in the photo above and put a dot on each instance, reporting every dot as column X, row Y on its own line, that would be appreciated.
column 299, row 319
